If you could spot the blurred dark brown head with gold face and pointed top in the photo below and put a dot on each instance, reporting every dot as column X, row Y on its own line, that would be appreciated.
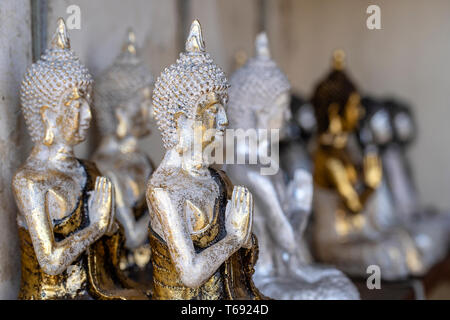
column 336, row 103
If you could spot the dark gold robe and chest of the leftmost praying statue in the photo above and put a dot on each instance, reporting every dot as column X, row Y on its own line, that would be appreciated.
column 85, row 277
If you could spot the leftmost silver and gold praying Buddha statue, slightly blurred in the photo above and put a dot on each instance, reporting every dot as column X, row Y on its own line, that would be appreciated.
column 70, row 242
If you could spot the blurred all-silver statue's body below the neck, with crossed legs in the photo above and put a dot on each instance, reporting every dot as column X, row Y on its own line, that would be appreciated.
column 278, row 273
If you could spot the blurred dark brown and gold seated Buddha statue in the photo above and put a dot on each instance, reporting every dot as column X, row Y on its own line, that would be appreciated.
column 347, row 229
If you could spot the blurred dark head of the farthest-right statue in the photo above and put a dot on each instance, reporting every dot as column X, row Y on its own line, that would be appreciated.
column 403, row 123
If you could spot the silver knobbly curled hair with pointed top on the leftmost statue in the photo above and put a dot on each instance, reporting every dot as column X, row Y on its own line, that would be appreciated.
column 45, row 82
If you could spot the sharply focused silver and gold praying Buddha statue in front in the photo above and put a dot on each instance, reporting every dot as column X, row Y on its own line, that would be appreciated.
column 200, row 225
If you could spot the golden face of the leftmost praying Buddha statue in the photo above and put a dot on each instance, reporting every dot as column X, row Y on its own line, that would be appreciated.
column 72, row 119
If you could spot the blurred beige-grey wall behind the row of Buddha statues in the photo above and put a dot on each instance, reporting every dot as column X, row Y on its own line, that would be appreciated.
column 408, row 58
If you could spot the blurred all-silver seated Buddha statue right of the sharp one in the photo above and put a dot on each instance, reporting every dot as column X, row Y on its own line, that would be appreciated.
column 259, row 99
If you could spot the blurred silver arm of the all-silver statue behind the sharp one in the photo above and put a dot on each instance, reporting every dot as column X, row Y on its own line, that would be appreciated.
column 276, row 219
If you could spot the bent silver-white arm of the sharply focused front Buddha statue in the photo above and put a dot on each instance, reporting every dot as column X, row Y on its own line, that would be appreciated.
column 194, row 268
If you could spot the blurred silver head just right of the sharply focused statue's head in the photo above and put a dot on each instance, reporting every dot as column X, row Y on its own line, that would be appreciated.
column 259, row 92
